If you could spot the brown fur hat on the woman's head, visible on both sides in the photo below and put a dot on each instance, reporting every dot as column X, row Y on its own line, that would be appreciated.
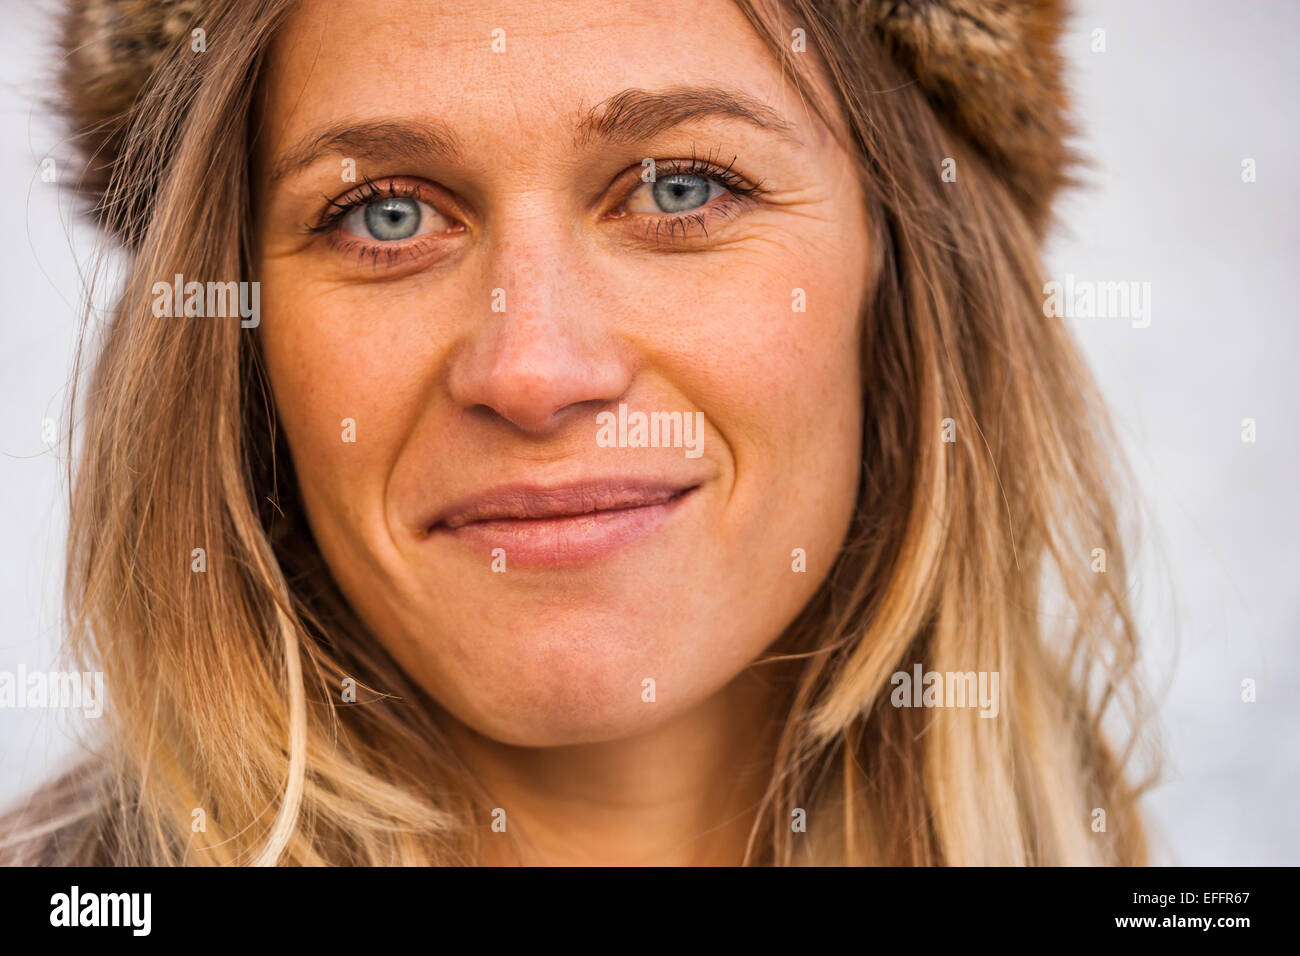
column 989, row 67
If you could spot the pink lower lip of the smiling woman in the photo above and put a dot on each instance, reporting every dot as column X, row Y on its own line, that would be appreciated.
column 571, row 540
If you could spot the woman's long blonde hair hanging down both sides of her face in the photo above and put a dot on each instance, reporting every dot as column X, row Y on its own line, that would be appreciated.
column 963, row 556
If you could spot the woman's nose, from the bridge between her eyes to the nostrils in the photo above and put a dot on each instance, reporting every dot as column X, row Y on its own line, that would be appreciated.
column 545, row 349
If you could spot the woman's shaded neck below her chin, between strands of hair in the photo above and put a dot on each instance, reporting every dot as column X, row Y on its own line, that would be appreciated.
column 684, row 794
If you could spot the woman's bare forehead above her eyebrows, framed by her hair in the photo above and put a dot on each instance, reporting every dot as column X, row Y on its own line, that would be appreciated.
column 521, row 72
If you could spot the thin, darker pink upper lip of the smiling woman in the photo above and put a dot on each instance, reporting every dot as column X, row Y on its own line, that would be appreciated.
column 523, row 501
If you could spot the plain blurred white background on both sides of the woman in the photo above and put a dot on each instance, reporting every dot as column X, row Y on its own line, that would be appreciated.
column 1182, row 94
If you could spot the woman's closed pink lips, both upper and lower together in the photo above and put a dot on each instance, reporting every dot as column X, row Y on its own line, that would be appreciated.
column 565, row 525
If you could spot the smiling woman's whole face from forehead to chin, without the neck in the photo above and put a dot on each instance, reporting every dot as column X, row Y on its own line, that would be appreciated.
column 474, row 292
